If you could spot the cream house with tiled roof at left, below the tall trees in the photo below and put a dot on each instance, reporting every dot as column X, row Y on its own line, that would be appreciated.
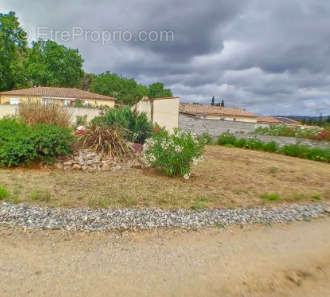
column 47, row 95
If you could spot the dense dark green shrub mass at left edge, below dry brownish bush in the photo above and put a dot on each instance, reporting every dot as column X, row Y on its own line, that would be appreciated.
column 20, row 144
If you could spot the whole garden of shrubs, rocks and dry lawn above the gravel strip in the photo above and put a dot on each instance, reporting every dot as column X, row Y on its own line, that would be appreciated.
column 53, row 167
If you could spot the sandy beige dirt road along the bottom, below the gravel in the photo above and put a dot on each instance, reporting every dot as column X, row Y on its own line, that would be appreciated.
column 280, row 260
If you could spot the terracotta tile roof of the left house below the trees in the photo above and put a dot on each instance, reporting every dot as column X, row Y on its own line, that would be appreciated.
column 57, row 92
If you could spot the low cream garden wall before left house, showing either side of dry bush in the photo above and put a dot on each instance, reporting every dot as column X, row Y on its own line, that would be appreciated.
column 8, row 110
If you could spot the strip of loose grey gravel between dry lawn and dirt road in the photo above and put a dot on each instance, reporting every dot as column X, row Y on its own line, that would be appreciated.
column 88, row 220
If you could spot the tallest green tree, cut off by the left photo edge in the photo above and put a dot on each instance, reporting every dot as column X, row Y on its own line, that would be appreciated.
column 12, row 51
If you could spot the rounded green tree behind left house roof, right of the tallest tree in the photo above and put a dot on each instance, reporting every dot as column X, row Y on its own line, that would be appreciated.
column 51, row 64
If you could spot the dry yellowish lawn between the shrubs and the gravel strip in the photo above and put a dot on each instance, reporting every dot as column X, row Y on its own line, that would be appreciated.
column 229, row 177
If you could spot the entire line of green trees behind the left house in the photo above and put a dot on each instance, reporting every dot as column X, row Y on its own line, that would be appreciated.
column 47, row 63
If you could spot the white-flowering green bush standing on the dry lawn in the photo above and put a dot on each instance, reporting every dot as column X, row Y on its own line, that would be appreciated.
column 174, row 153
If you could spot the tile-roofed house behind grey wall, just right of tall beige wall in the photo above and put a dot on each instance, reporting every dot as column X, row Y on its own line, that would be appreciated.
column 212, row 112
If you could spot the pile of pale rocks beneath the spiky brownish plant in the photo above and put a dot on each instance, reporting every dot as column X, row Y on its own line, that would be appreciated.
column 88, row 160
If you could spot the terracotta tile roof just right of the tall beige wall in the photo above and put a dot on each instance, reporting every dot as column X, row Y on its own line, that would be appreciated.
column 201, row 109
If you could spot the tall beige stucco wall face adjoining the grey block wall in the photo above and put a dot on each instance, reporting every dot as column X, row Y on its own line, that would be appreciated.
column 166, row 113
